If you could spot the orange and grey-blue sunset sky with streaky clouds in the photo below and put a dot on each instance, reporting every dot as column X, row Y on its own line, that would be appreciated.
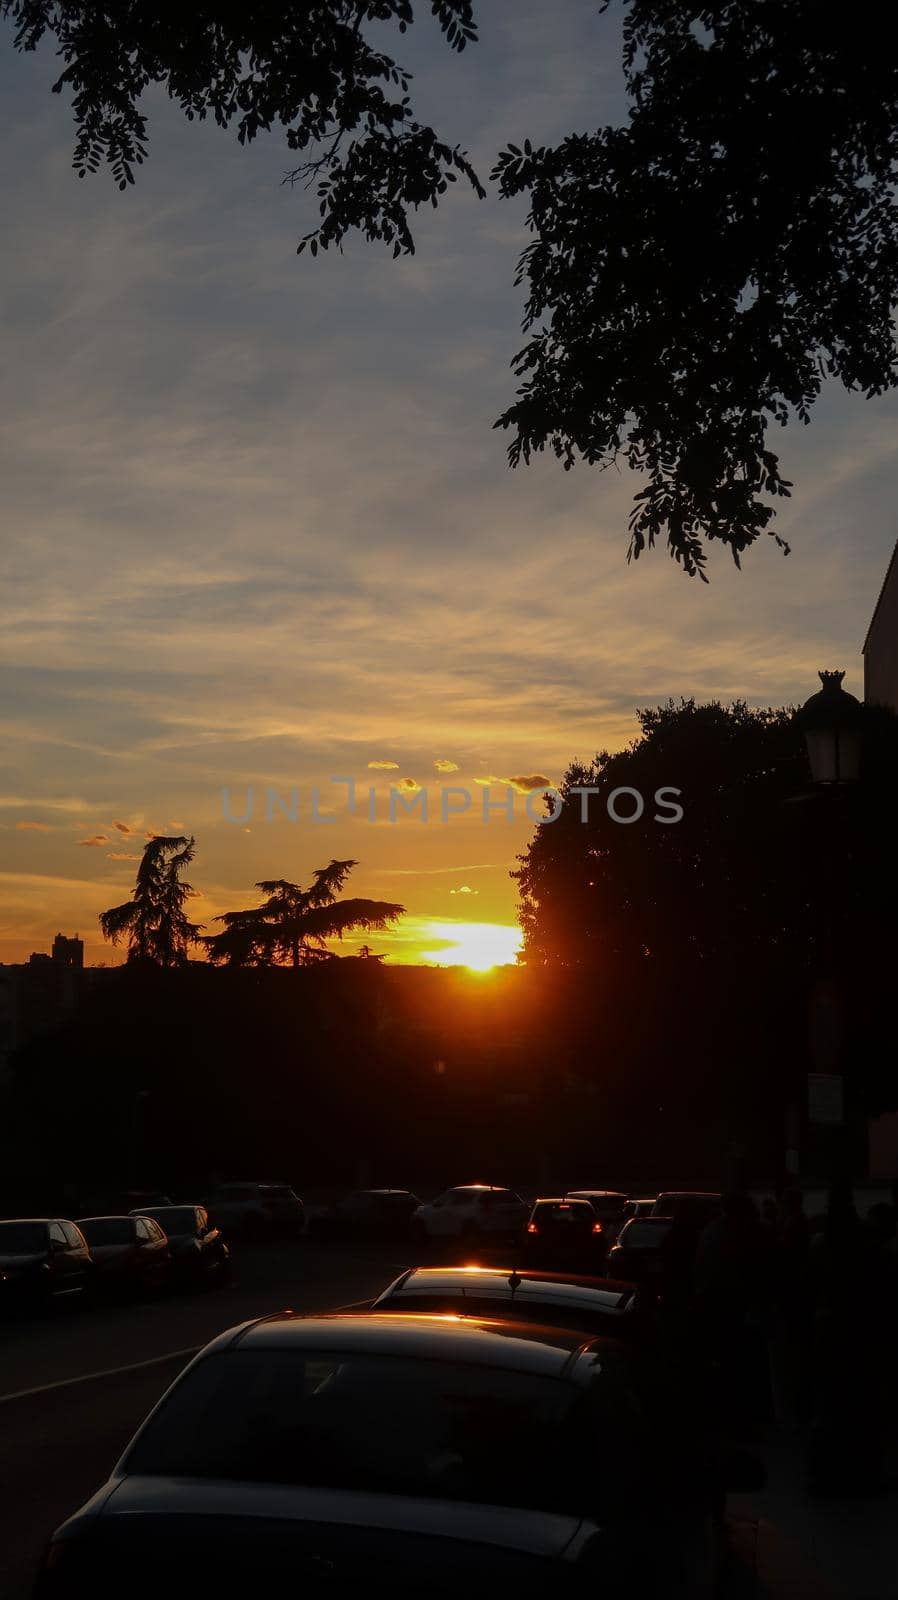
column 259, row 529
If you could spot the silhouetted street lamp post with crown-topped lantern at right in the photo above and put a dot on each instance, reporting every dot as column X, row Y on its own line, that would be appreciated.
column 832, row 726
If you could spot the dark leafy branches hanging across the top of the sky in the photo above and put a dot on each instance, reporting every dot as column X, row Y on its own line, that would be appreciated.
column 696, row 274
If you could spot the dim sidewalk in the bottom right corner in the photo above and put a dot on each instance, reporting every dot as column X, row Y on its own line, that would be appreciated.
column 806, row 1548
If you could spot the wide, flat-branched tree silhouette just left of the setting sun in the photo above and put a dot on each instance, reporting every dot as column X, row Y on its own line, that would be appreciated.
column 294, row 924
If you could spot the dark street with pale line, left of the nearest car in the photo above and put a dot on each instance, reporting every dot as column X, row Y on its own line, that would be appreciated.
column 74, row 1385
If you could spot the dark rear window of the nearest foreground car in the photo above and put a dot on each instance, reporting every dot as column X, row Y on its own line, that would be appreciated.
column 385, row 1425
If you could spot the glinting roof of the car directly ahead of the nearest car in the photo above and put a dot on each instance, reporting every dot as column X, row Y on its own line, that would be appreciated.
column 548, row 1289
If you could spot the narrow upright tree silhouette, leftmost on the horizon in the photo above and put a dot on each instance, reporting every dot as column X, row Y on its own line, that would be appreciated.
column 154, row 921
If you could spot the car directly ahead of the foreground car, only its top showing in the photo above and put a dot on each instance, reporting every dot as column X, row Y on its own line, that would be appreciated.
column 548, row 1298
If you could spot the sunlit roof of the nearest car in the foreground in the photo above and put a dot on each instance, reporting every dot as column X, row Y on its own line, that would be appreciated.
column 476, row 1342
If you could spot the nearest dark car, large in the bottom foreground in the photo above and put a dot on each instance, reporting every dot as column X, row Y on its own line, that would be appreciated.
column 415, row 1455
